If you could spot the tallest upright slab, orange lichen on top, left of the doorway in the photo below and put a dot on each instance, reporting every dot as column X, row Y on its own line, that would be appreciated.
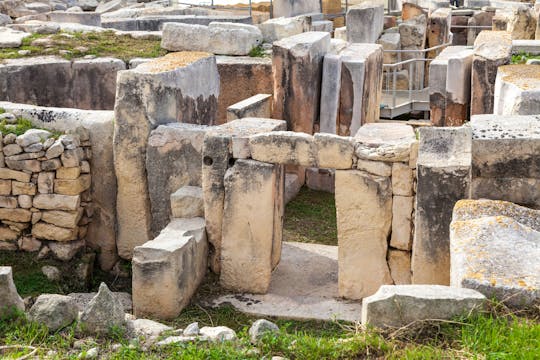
column 157, row 92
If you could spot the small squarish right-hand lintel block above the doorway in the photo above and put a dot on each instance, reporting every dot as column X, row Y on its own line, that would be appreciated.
column 334, row 152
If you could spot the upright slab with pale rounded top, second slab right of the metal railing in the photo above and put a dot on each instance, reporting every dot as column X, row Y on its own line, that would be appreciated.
column 491, row 50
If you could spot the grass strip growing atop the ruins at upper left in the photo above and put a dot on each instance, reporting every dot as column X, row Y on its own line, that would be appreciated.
column 100, row 44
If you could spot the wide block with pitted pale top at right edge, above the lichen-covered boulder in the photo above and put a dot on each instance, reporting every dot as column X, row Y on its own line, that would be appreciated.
column 505, row 161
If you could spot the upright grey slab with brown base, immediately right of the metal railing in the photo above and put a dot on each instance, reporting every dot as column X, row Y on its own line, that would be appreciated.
column 450, row 86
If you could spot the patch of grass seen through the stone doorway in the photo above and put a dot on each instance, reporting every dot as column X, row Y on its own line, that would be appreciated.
column 311, row 218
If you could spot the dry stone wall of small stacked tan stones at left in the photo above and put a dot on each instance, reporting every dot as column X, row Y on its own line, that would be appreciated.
column 45, row 202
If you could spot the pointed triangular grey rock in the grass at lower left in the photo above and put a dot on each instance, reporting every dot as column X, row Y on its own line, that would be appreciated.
column 103, row 312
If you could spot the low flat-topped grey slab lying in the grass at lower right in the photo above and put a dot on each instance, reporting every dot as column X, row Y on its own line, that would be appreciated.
column 401, row 305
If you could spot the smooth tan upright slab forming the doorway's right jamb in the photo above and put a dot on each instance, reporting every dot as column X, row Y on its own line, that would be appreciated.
column 364, row 217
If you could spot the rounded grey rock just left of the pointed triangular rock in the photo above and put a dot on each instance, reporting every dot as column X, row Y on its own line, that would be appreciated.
column 54, row 311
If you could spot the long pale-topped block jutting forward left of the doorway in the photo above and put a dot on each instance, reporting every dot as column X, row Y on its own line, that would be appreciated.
column 173, row 265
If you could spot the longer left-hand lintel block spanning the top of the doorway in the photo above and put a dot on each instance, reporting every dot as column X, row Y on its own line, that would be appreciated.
column 284, row 147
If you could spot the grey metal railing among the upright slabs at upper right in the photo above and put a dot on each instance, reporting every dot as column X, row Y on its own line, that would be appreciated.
column 416, row 96
